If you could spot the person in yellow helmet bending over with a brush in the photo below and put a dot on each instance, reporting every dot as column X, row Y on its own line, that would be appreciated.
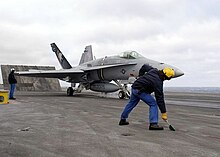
column 150, row 80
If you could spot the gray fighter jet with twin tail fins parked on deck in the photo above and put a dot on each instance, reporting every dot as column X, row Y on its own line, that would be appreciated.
column 100, row 75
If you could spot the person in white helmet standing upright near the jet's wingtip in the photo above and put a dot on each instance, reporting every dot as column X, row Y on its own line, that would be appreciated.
column 12, row 81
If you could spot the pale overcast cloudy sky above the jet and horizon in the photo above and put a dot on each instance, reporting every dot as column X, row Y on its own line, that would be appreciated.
column 183, row 33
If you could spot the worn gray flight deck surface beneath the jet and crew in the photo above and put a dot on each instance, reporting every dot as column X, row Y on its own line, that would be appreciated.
column 85, row 125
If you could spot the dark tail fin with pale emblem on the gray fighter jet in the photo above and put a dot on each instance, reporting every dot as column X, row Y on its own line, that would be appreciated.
column 63, row 61
